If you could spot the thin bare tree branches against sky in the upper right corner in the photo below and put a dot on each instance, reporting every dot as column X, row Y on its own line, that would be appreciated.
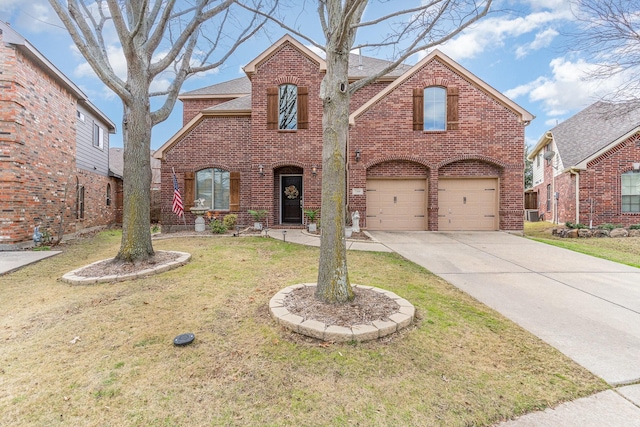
column 609, row 33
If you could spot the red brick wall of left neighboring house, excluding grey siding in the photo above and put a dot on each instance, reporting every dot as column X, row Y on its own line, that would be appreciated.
column 38, row 173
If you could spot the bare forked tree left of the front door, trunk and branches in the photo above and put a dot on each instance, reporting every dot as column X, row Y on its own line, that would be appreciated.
column 160, row 40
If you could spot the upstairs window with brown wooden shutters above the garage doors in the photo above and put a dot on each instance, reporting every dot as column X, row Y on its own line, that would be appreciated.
column 435, row 109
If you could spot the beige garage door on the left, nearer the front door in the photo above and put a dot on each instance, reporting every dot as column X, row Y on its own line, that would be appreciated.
column 396, row 204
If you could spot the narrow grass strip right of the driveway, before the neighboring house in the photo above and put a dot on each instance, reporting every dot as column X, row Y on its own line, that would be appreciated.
column 625, row 250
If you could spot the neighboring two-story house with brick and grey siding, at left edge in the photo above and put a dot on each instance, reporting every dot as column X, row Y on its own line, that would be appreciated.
column 54, row 145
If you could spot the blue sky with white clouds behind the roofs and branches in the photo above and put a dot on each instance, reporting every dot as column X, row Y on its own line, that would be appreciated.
column 520, row 49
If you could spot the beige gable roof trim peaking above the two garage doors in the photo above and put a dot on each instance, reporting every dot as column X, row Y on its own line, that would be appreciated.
column 525, row 116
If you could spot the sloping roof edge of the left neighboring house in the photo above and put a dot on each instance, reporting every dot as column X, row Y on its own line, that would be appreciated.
column 11, row 36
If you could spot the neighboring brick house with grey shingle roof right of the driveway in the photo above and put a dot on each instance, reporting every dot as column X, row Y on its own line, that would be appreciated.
column 587, row 169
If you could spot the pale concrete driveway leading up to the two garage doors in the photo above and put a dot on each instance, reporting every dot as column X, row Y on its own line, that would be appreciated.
column 586, row 307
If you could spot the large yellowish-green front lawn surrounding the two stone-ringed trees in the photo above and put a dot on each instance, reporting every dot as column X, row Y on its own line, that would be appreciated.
column 459, row 364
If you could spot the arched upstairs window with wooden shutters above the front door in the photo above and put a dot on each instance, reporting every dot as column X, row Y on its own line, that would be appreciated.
column 287, row 107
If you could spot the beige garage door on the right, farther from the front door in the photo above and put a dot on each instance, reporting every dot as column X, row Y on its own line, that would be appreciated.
column 468, row 204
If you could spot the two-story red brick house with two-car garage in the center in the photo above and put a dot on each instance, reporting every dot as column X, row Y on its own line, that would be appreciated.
column 431, row 147
